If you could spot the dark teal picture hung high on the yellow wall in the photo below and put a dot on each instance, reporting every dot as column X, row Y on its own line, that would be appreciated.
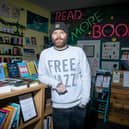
column 37, row 22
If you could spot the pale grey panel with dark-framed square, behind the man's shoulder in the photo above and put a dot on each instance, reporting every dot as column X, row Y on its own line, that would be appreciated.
column 92, row 50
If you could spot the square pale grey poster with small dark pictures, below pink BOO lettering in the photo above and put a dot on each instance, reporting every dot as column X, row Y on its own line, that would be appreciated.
column 110, row 50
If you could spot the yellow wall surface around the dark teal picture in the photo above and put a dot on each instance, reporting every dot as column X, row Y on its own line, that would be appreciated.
column 25, row 6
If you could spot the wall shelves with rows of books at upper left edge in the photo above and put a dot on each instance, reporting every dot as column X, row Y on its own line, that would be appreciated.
column 11, row 40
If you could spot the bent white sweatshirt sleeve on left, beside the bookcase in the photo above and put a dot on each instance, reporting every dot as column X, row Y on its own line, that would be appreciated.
column 43, row 74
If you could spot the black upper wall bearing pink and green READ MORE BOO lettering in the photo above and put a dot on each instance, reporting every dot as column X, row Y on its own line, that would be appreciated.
column 103, row 23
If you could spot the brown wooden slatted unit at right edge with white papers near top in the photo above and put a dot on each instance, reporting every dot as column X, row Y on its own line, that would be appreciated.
column 119, row 100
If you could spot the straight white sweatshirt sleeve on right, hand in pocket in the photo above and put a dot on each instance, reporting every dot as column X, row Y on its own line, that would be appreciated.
column 86, row 78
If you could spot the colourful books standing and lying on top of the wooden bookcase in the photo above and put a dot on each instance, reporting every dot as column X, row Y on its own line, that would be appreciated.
column 20, row 75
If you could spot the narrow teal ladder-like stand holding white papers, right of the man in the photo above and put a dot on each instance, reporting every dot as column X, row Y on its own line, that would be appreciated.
column 101, row 94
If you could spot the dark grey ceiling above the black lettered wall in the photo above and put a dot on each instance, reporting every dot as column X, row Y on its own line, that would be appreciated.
column 54, row 5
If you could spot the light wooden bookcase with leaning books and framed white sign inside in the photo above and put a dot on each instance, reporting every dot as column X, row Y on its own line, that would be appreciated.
column 22, row 108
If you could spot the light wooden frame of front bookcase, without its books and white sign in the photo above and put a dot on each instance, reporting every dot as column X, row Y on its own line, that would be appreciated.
column 38, row 96
